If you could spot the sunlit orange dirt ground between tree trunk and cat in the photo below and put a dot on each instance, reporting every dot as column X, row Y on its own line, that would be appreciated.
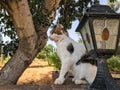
column 38, row 73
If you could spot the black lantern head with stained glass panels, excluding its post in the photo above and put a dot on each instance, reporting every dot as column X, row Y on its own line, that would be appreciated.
column 99, row 28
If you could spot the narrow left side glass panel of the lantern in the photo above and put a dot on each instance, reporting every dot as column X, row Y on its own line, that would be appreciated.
column 86, row 35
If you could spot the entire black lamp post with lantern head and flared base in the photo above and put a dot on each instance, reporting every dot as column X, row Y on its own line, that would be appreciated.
column 100, row 28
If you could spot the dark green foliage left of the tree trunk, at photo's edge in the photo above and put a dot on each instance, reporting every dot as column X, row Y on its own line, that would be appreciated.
column 7, row 28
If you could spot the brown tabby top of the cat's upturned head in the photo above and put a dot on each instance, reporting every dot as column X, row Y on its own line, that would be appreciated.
column 58, row 30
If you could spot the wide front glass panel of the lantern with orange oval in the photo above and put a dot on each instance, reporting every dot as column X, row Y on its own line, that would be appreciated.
column 106, row 31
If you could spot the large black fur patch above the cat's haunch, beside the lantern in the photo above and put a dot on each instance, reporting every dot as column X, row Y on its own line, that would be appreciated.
column 87, row 59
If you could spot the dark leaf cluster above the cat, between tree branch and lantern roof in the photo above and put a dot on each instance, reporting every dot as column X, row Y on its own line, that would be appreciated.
column 70, row 10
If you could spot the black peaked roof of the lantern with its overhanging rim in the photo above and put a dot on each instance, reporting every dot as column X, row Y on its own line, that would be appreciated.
column 98, row 11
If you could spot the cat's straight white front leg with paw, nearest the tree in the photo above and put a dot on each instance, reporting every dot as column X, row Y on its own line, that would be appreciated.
column 64, row 69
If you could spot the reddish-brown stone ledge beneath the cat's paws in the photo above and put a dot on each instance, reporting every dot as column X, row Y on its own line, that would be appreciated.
column 68, row 84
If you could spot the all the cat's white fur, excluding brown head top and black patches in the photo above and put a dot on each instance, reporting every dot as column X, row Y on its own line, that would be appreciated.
column 68, row 60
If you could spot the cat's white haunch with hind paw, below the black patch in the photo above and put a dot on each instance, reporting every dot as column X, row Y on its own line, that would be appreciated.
column 86, row 71
